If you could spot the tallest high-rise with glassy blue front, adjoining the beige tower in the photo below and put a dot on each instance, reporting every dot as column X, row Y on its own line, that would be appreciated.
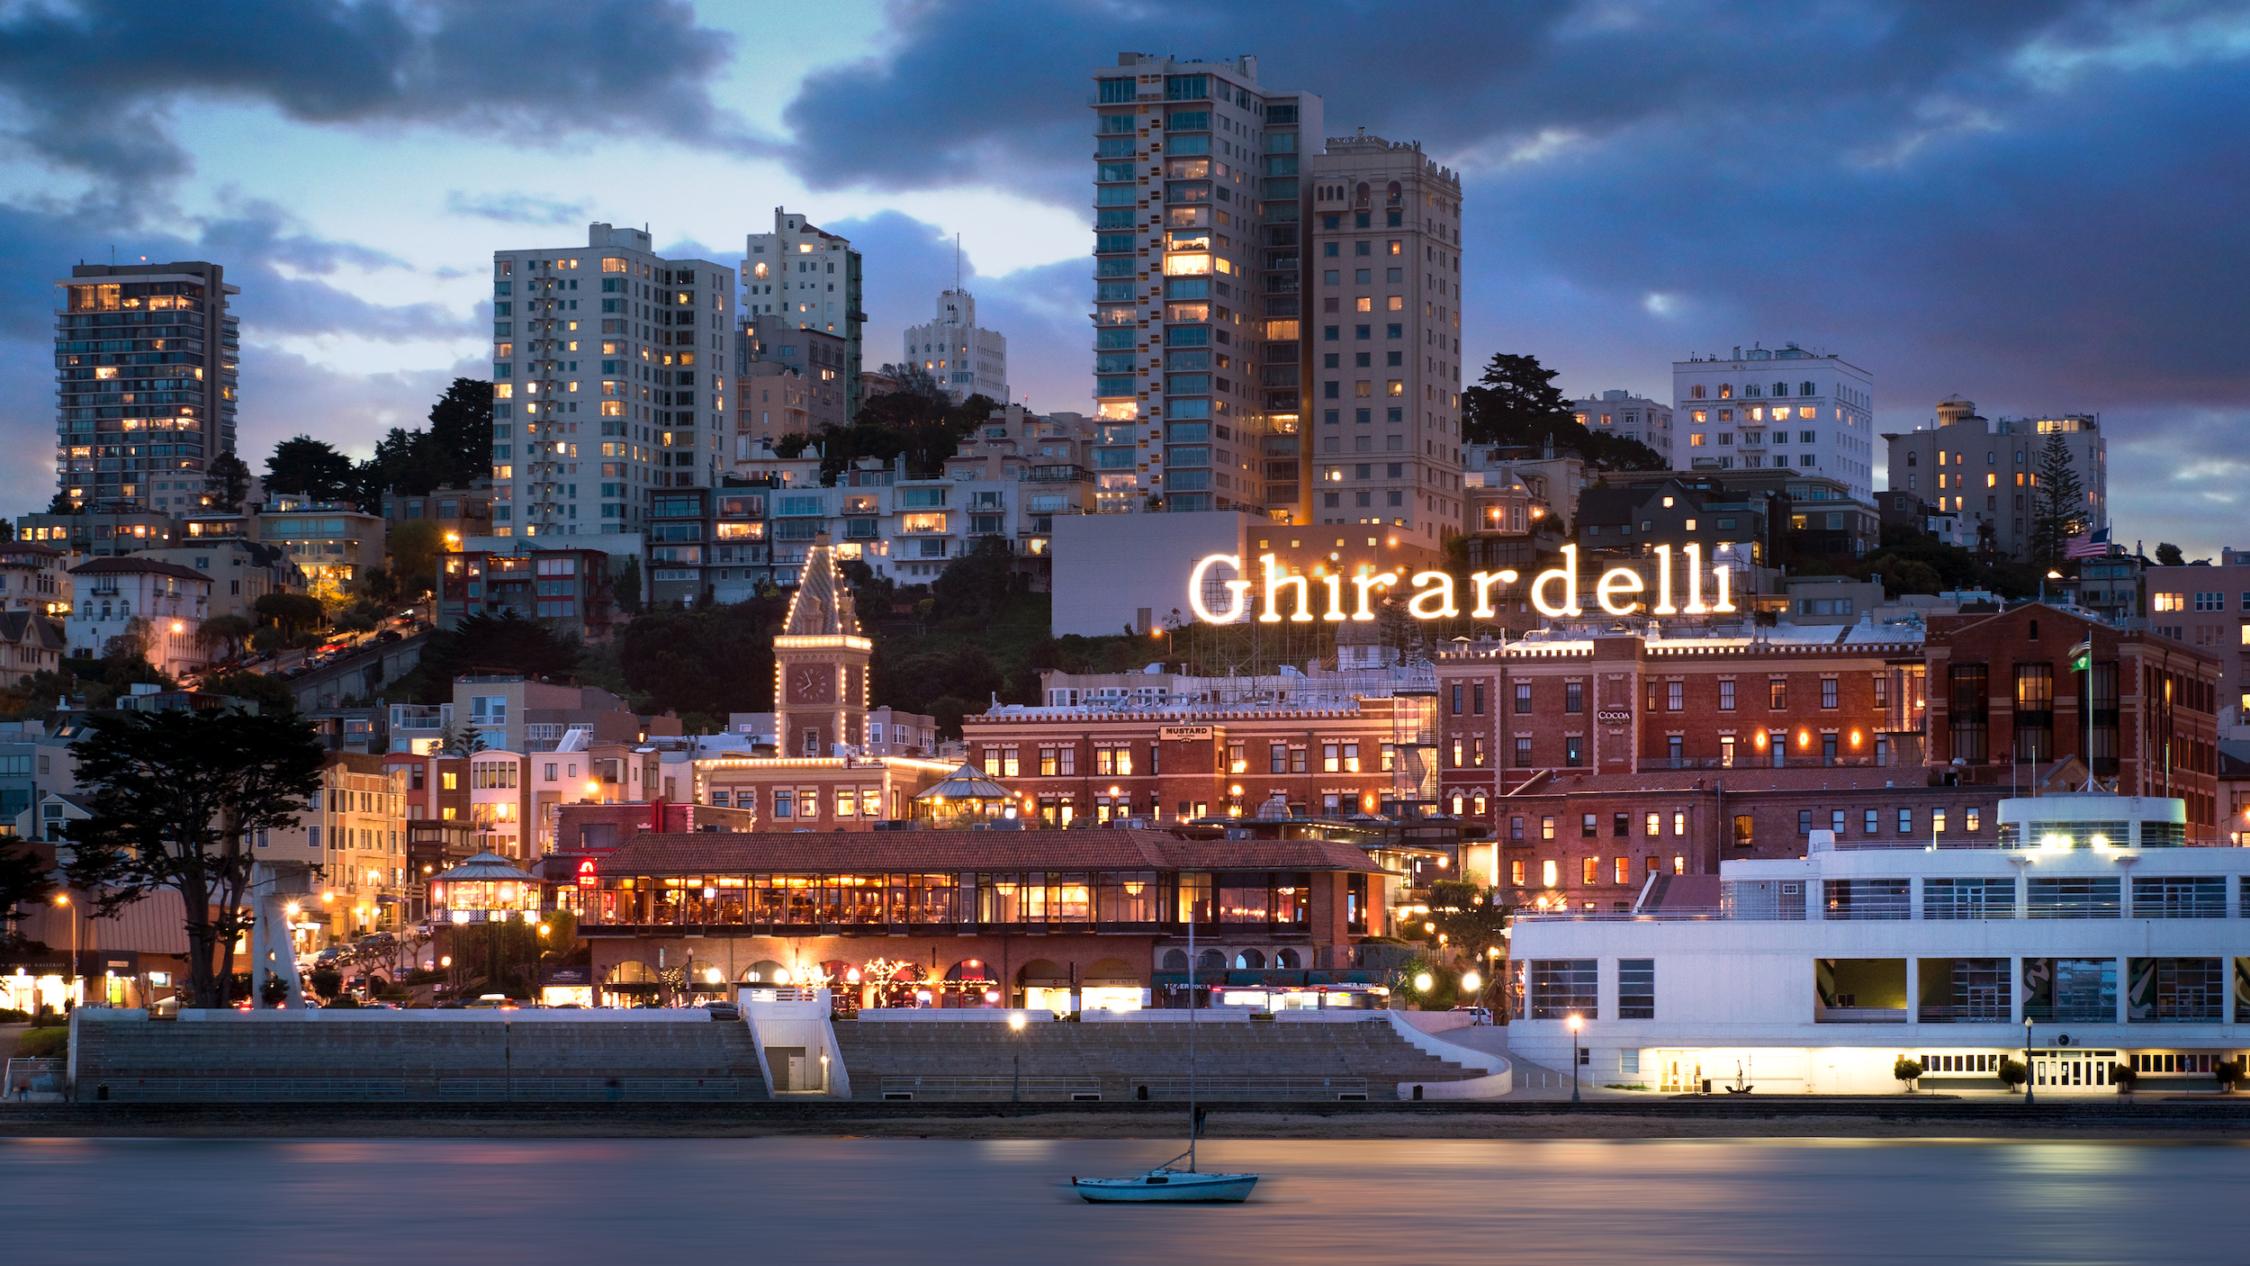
column 1198, row 287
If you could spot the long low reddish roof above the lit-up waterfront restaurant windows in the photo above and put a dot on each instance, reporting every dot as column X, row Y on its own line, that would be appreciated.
column 971, row 851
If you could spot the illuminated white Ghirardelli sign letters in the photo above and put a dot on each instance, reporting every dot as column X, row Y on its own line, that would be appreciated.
column 1437, row 595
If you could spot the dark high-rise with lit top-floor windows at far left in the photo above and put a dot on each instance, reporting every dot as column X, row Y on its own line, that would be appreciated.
column 147, row 370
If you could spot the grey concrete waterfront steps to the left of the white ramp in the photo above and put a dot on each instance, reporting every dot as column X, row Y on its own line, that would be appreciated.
column 462, row 1058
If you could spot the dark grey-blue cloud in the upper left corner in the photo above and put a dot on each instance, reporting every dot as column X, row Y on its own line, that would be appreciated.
column 93, row 82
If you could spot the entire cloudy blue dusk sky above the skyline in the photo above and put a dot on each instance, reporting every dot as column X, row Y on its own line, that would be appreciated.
column 2035, row 206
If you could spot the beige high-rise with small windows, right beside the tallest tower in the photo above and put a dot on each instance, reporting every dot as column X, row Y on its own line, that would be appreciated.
column 1383, row 408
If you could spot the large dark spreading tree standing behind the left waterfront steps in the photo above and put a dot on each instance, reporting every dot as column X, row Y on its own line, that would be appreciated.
column 174, row 804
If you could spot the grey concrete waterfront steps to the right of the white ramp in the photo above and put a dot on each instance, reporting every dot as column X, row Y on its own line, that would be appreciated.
column 982, row 1060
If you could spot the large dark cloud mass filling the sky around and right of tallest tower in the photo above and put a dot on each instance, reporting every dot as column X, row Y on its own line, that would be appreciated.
column 2026, row 201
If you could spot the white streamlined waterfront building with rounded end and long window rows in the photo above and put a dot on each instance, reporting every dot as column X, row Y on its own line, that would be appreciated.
column 2087, row 919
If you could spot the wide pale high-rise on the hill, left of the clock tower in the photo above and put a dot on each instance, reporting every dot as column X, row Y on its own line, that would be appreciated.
column 609, row 381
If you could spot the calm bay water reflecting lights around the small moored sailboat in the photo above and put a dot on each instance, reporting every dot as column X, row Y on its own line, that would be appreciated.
column 845, row 1200
